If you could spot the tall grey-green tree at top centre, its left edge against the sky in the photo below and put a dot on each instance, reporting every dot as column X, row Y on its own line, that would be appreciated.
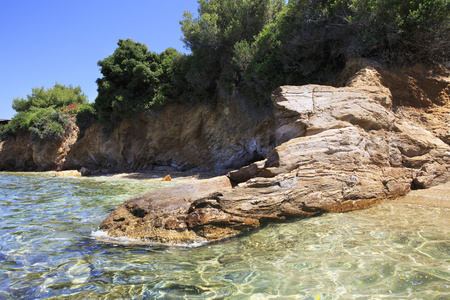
column 214, row 35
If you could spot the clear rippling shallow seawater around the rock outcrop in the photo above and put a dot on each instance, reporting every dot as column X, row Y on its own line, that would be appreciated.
column 48, row 250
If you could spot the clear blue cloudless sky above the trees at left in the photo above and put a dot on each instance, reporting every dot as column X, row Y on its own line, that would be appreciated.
column 47, row 41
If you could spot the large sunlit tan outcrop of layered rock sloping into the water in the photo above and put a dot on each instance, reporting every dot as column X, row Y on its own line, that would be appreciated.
column 338, row 149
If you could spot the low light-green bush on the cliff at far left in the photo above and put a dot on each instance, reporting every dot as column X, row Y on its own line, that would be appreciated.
column 45, row 114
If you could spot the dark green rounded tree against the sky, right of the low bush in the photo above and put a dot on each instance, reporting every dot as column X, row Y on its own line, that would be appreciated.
column 133, row 79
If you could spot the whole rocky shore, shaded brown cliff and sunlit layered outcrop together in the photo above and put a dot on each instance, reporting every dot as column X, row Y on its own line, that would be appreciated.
column 319, row 149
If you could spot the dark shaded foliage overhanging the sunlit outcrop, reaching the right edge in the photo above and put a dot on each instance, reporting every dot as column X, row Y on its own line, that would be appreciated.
column 311, row 40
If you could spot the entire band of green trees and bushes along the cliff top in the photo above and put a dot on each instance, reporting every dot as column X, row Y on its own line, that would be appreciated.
column 250, row 48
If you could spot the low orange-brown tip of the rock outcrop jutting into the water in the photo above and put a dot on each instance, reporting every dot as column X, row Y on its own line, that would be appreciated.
column 160, row 216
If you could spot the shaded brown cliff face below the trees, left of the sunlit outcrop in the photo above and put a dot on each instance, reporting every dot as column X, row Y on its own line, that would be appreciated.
column 181, row 137
